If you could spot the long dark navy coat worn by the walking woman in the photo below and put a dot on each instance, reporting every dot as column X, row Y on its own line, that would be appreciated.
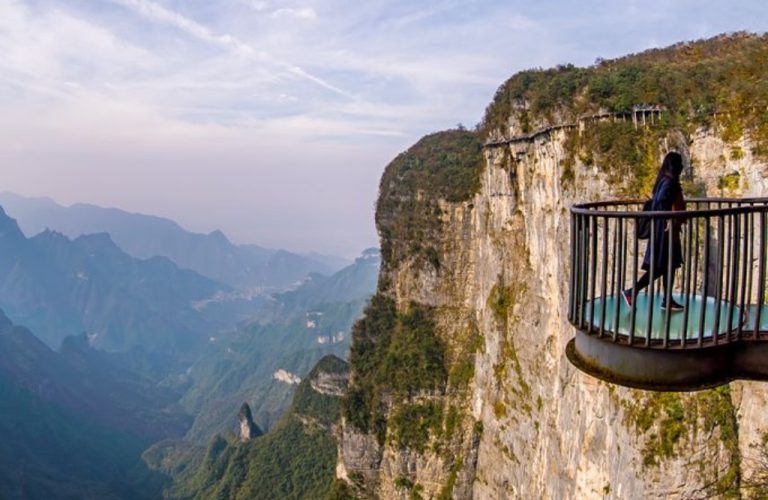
column 668, row 195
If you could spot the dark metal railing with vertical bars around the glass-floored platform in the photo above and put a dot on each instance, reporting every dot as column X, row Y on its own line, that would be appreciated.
column 721, row 283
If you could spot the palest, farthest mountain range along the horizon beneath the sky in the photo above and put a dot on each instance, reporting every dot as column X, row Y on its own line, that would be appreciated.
column 146, row 236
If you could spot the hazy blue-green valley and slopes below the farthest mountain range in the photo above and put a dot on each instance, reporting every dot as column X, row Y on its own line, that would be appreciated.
column 143, row 356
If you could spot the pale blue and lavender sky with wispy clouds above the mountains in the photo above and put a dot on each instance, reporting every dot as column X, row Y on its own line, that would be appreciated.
column 273, row 120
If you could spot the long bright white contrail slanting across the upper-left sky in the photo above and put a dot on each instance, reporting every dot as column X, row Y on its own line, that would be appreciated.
column 158, row 13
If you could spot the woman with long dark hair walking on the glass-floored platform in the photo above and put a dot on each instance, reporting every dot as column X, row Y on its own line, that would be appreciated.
column 667, row 196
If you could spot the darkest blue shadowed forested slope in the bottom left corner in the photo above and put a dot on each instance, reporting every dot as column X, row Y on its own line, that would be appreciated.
column 75, row 423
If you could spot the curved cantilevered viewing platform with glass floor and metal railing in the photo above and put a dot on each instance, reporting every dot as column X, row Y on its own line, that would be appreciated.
column 722, row 332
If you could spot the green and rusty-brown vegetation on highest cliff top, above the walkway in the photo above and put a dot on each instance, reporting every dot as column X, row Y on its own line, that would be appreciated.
column 725, row 74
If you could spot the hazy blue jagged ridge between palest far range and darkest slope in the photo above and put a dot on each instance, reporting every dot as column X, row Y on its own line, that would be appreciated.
column 59, row 287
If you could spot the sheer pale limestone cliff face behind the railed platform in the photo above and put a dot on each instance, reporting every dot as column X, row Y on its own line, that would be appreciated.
column 528, row 424
